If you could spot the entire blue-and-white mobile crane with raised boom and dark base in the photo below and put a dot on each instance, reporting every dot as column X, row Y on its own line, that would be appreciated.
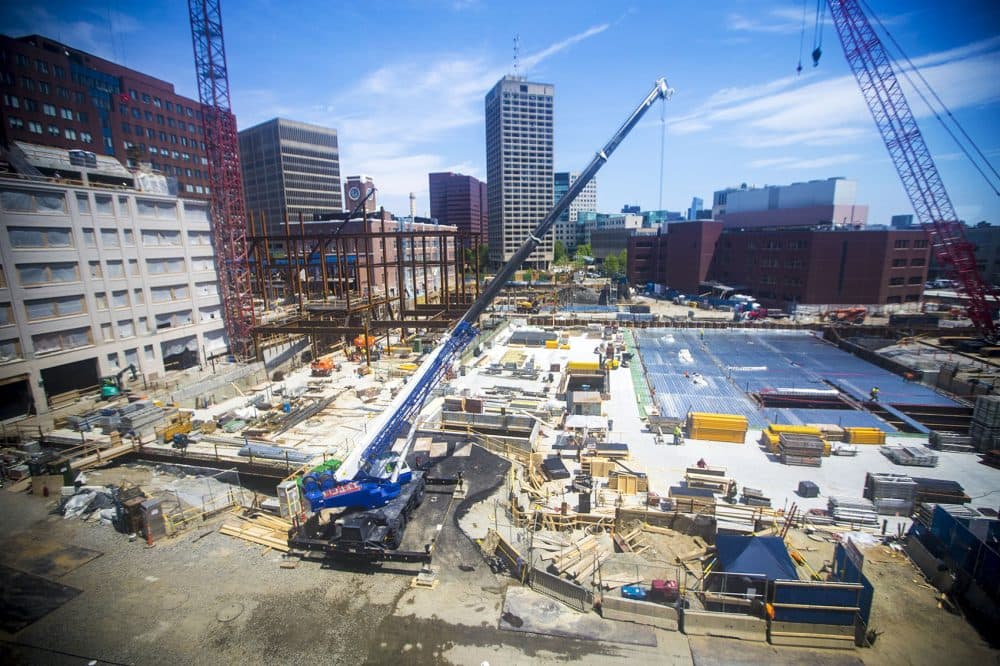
column 375, row 485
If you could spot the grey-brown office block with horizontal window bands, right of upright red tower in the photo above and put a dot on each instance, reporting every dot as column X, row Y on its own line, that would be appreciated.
column 290, row 168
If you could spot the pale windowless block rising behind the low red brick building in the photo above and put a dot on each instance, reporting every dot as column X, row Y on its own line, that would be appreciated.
column 829, row 202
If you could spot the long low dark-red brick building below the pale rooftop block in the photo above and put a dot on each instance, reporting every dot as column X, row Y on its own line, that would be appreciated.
column 784, row 266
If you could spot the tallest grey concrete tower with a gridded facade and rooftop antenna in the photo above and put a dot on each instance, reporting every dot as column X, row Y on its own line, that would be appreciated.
column 519, row 159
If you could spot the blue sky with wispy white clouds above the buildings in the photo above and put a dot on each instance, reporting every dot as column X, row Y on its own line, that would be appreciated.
column 403, row 83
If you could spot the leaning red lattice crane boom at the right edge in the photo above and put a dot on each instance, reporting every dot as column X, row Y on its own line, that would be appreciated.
column 873, row 70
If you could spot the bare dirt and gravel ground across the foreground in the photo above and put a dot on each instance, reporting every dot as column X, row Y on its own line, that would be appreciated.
column 203, row 597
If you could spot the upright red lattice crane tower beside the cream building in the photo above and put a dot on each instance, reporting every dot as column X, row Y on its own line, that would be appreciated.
column 229, row 232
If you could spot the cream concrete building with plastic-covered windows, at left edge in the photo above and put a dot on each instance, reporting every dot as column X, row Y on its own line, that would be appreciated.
column 93, row 280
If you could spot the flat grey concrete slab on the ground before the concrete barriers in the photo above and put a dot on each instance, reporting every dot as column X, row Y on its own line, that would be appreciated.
column 528, row 611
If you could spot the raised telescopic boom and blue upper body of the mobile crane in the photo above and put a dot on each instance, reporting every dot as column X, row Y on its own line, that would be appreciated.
column 368, row 477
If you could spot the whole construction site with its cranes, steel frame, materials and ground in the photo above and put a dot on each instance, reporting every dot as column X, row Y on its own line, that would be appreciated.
column 407, row 457
